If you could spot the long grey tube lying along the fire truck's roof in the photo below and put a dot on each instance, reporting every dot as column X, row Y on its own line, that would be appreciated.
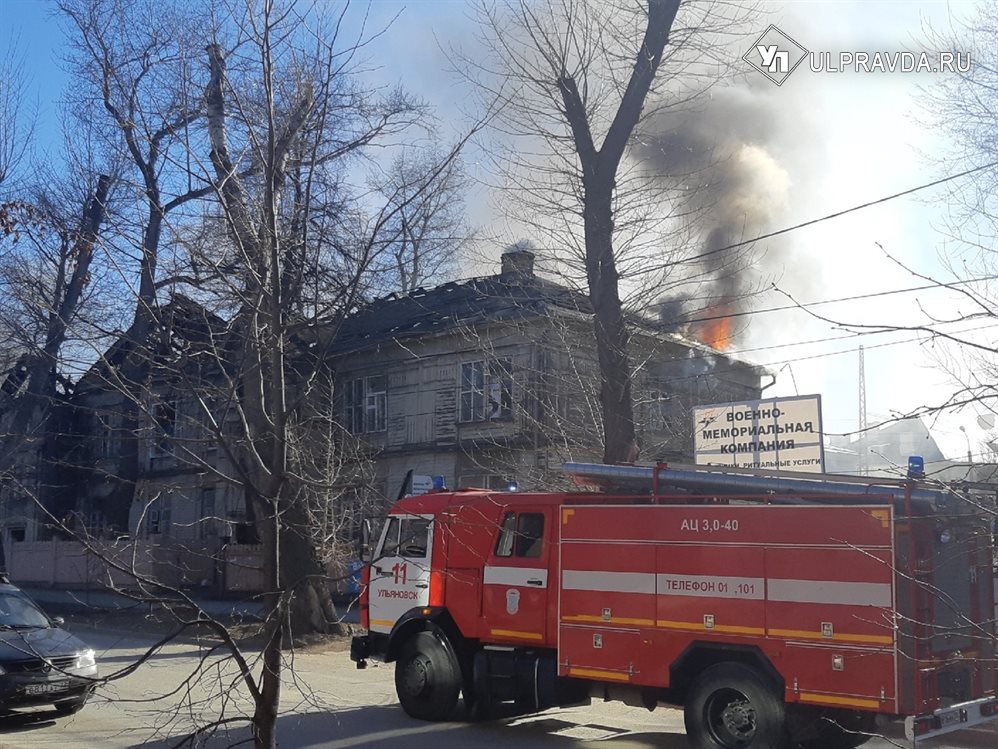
column 826, row 488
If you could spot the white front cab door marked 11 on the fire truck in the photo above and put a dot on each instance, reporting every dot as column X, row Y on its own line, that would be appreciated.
column 400, row 572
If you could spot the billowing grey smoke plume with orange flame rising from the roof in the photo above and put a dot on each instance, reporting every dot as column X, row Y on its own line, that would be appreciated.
column 721, row 157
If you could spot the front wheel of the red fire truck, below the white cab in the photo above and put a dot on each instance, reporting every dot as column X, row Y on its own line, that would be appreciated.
column 427, row 678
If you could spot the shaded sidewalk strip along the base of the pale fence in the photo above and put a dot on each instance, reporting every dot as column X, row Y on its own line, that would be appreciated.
column 57, row 602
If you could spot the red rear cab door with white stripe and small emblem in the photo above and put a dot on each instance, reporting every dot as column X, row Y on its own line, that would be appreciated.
column 515, row 599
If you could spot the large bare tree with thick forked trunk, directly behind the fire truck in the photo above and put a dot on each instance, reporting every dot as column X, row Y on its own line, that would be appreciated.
column 579, row 82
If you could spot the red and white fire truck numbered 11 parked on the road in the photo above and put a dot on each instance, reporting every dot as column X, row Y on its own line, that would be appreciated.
column 777, row 609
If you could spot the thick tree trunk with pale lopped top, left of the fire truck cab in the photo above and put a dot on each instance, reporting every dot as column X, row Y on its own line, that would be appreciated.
column 299, row 571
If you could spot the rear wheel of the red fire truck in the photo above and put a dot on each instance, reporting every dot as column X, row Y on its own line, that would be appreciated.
column 730, row 706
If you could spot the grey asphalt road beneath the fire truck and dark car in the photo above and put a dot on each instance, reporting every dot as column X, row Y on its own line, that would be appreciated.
column 328, row 704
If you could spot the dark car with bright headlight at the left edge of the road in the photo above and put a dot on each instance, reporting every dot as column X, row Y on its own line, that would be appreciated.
column 40, row 664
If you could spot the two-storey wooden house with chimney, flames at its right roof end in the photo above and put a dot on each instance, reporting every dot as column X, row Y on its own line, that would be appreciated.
column 497, row 377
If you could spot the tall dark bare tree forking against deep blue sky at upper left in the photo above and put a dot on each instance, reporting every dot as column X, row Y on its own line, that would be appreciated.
column 140, row 88
